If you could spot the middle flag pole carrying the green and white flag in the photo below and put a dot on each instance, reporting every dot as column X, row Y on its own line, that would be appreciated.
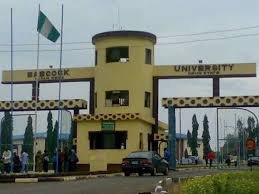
column 36, row 99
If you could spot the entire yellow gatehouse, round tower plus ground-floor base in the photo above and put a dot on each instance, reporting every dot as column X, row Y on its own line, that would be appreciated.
column 122, row 121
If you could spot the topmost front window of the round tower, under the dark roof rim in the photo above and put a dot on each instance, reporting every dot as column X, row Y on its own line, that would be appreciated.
column 117, row 54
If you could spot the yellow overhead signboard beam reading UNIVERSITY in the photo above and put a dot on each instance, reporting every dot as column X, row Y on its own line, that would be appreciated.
column 206, row 70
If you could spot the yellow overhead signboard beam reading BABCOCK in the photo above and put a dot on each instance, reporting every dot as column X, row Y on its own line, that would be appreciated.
column 48, row 75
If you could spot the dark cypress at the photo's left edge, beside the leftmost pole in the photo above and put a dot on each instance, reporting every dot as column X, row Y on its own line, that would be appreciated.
column 6, row 133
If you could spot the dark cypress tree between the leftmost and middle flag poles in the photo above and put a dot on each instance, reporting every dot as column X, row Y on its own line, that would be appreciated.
column 28, row 140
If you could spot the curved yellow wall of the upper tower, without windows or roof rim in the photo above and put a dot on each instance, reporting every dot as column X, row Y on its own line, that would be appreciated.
column 134, row 75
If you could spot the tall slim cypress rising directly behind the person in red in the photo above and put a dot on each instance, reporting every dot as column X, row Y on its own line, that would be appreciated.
column 206, row 136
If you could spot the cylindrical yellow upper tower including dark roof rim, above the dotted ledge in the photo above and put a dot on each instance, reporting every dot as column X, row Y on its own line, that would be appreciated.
column 124, row 72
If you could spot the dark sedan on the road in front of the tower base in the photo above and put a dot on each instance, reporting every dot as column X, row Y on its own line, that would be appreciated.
column 144, row 162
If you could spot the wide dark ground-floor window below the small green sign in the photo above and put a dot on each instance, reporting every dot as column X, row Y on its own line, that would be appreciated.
column 107, row 139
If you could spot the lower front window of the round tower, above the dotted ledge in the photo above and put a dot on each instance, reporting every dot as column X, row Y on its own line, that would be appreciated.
column 117, row 98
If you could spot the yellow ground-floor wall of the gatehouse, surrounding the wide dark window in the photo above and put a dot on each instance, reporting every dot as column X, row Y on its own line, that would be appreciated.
column 98, row 159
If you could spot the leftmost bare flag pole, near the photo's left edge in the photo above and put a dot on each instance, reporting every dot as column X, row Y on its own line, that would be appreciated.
column 11, row 90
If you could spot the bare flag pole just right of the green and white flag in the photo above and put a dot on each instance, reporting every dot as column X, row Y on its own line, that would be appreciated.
column 59, row 90
